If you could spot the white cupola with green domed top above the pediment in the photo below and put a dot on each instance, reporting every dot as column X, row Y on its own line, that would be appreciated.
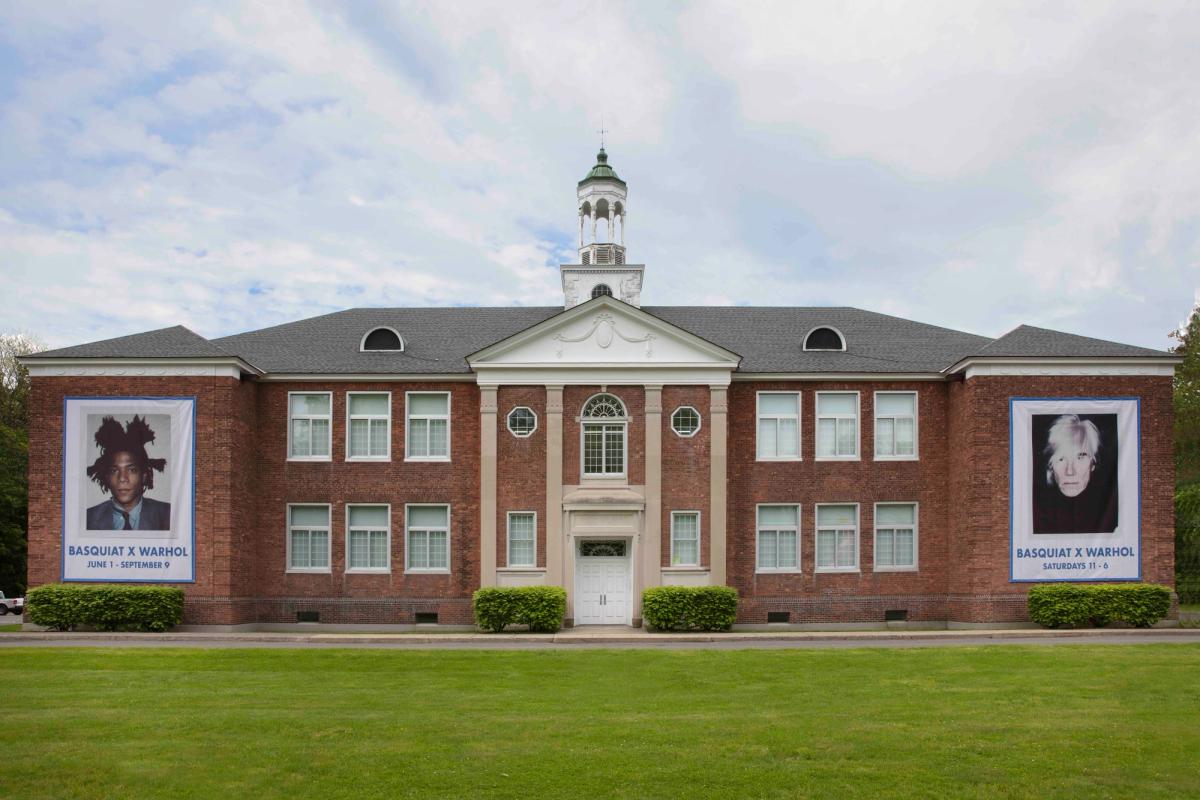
column 603, row 206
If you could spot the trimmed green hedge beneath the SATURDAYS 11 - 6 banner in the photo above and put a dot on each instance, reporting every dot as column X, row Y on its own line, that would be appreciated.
column 1141, row 605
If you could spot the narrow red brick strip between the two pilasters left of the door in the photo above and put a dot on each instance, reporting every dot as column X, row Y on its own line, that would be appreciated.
column 521, row 468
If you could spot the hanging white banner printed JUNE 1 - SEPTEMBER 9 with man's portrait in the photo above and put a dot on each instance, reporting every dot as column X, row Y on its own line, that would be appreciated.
column 129, row 489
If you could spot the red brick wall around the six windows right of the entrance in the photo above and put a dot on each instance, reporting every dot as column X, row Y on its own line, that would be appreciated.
column 862, row 597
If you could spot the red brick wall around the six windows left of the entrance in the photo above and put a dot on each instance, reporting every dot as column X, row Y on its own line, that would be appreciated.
column 340, row 483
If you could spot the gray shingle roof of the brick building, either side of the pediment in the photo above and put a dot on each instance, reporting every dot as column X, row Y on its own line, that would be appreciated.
column 437, row 341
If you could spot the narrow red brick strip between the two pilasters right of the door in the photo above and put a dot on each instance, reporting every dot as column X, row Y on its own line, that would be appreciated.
column 686, row 467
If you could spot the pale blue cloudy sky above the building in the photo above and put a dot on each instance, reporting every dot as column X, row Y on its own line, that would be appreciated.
column 231, row 166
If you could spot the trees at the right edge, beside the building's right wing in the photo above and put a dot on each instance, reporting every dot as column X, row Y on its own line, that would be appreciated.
column 1187, row 461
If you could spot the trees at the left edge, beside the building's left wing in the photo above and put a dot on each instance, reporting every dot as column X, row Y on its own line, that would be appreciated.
column 15, row 459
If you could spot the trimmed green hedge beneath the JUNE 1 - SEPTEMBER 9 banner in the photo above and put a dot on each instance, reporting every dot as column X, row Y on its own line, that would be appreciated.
column 64, row 607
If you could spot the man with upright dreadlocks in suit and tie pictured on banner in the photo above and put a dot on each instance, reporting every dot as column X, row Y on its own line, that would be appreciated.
column 125, row 472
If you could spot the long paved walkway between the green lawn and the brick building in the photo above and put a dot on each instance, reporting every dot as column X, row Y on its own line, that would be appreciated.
column 621, row 637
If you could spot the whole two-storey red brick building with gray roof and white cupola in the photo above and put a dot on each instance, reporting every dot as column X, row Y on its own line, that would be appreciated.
column 838, row 466
